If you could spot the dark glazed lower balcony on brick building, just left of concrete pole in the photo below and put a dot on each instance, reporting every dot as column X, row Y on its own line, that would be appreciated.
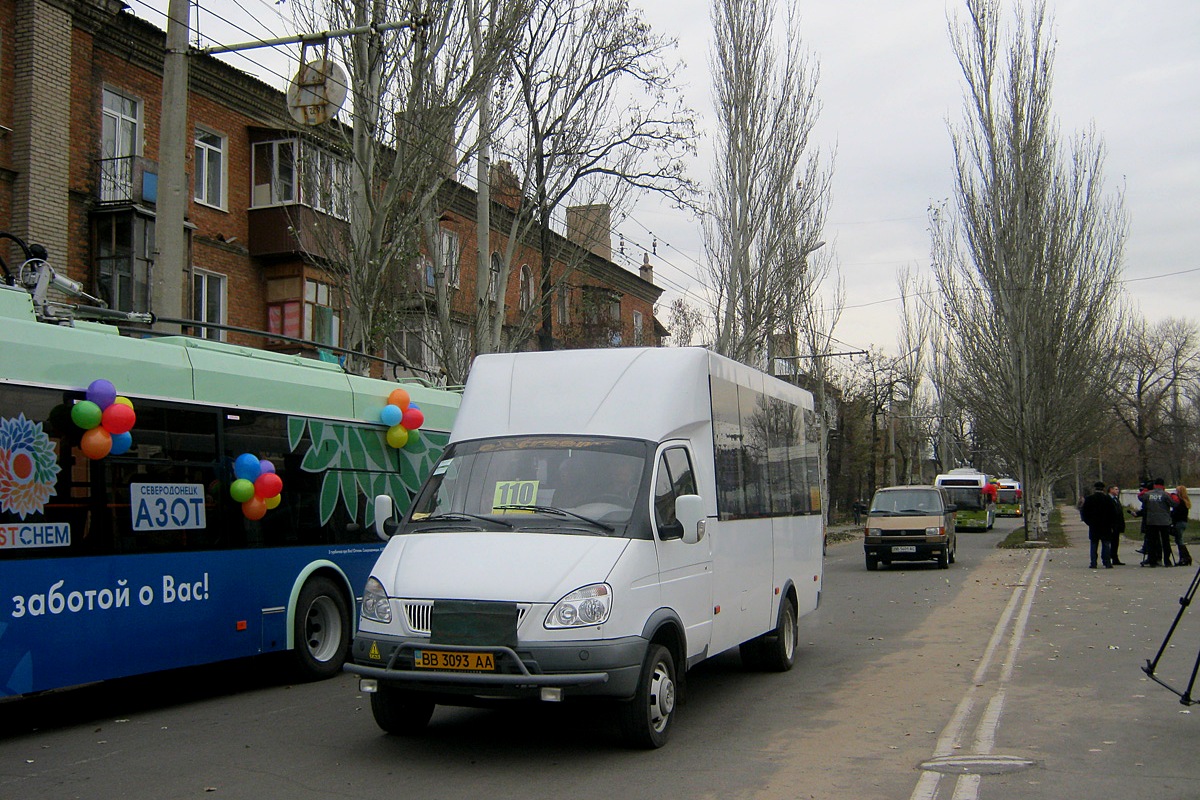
column 124, row 249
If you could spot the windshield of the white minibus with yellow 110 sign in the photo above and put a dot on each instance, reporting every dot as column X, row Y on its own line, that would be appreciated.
column 590, row 484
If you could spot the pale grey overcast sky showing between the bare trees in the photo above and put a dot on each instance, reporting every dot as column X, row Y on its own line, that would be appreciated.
column 889, row 86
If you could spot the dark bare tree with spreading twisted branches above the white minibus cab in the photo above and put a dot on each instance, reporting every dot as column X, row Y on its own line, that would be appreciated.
column 597, row 117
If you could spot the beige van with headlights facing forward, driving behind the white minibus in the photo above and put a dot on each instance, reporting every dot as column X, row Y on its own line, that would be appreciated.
column 910, row 524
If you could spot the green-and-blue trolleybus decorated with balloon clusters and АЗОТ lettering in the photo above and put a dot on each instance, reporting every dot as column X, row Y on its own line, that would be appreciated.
column 128, row 552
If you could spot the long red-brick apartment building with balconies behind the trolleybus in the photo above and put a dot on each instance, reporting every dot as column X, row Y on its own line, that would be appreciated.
column 81, row 98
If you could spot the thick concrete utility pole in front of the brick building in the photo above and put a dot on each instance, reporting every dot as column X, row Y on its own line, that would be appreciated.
column 172, row 264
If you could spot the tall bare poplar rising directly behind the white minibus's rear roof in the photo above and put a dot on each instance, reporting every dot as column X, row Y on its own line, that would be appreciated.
column 770, row 191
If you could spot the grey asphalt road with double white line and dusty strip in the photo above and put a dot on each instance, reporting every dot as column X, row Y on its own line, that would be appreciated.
column 1012, row 675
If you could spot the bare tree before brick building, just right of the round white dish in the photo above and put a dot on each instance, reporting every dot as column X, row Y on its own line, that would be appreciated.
column 413, row 94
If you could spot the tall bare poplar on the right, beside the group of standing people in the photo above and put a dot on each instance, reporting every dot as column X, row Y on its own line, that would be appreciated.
column 1029, row 261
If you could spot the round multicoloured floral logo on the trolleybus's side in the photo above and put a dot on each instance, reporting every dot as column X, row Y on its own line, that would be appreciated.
column 28, row 467
